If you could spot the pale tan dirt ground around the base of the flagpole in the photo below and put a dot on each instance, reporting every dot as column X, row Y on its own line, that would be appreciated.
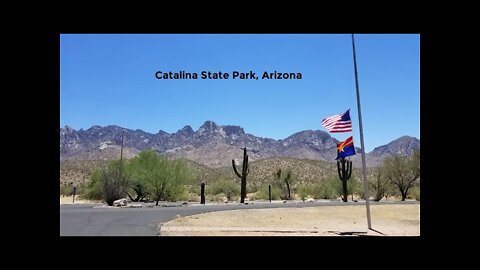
column 389, row 220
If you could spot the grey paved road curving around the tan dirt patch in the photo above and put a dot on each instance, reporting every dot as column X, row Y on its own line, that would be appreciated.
column 85, row 220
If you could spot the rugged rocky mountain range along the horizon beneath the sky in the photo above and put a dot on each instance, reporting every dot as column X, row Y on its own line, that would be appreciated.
column 214, row 145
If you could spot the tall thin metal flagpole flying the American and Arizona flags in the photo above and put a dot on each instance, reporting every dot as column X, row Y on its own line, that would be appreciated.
column 364, row 163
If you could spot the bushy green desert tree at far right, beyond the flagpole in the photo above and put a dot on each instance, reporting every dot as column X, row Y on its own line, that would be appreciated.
column 403, row 171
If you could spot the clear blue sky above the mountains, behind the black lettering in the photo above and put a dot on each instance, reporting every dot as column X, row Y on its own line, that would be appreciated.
column 110, row 80
